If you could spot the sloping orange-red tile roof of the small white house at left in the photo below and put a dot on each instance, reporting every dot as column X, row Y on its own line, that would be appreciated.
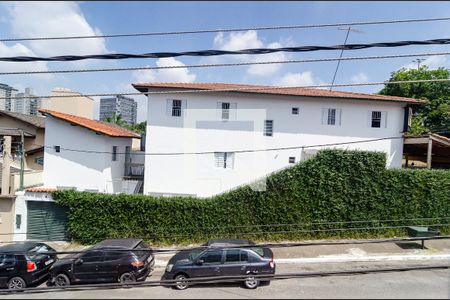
column 97, row 126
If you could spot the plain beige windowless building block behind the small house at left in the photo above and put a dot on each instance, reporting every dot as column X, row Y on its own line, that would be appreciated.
column 77, row 104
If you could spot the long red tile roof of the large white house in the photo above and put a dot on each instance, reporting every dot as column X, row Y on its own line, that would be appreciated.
column 308, row 92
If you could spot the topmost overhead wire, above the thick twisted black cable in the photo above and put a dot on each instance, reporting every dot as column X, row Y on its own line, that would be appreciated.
column 278, row 27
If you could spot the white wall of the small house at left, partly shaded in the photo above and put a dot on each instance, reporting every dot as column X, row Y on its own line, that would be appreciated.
column 84, row 171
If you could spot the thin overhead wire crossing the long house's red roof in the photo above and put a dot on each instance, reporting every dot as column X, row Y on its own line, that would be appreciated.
column 197, row 91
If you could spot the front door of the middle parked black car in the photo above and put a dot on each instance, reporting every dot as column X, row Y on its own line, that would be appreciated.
column 86, row 268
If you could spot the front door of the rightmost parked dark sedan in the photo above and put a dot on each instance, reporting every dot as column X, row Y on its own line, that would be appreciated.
column 211, row 263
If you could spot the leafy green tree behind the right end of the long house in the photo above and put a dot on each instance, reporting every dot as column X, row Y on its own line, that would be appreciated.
column 433, row 116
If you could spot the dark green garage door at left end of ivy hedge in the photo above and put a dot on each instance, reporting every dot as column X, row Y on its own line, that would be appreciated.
column 46, row 221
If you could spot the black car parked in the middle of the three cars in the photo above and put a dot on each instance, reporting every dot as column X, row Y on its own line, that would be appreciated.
column 113, row 260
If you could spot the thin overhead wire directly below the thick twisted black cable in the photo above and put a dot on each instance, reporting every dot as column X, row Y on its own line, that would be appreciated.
column 314, row 60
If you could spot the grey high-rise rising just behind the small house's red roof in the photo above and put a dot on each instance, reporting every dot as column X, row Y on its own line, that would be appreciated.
column 126, row 107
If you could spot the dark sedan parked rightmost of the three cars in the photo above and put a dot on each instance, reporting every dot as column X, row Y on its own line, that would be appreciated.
column 221, row 258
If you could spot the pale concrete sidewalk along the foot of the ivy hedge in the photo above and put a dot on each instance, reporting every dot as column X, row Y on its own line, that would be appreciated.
column 379, row 252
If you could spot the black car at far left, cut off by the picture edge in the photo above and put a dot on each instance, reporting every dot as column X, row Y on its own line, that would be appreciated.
column 25, row 264
